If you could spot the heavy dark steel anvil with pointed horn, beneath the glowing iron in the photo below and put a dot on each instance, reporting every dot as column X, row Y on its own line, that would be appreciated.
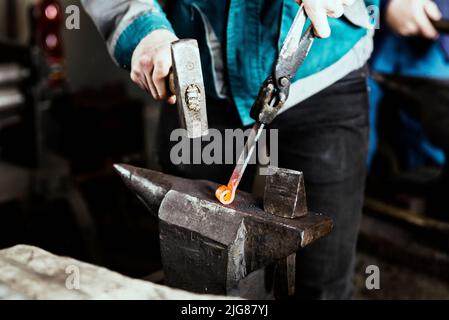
column 208, row 247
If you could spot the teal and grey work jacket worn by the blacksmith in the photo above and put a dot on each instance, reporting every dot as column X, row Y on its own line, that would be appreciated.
column 239, row 39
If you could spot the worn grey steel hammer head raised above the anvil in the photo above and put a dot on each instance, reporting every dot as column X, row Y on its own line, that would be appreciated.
column 189, row 87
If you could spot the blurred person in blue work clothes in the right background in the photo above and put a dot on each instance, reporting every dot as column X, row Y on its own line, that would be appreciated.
column 410, row 105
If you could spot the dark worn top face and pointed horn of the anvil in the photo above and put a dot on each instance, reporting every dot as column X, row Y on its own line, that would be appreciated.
column 152, row 186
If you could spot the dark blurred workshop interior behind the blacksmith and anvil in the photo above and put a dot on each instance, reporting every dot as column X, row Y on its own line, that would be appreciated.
column 67, row 114
